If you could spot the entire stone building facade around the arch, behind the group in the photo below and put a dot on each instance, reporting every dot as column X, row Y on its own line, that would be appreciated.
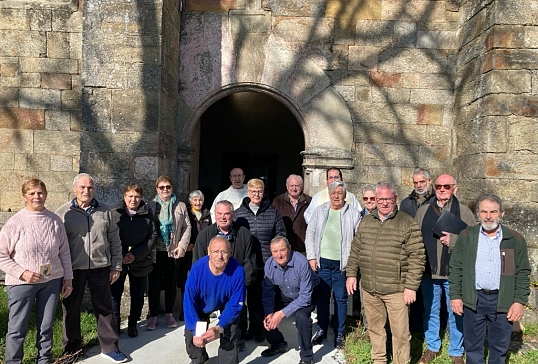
column 119, row 89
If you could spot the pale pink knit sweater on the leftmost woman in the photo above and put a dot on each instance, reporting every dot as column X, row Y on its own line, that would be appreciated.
column 30, row 239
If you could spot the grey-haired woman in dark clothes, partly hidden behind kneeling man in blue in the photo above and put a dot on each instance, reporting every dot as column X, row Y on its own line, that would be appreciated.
column 200, row 219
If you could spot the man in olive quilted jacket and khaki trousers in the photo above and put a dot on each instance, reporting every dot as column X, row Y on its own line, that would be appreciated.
column 389, row 251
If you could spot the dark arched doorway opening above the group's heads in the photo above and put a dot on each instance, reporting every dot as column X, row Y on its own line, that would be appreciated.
column 253, row 131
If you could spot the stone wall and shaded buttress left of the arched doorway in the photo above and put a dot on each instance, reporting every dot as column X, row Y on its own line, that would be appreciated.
column 87, row 86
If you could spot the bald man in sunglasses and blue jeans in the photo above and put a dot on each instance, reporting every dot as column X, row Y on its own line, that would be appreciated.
column 435, row 279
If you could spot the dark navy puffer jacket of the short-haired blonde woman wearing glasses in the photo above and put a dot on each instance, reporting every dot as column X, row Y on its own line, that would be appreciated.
column 264, row 225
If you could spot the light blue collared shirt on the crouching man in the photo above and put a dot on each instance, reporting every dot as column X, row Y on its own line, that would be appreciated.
column 296, row 282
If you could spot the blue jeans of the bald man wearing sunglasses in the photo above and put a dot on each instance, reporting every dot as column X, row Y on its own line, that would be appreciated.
column 432, row 291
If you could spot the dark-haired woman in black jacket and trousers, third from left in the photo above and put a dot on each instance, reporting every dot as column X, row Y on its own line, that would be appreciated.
column 138, row 236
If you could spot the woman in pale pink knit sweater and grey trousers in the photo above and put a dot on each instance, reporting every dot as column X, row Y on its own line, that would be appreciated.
column 34, row 254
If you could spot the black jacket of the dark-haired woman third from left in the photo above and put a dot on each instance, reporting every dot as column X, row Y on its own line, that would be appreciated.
column 138, row 236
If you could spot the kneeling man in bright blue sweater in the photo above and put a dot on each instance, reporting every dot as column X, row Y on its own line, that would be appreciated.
column 215, row 282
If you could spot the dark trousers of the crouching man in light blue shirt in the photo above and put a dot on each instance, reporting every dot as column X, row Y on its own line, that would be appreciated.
column 303, row 322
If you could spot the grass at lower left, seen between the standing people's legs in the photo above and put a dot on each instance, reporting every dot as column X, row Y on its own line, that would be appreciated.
column 88, row 327
